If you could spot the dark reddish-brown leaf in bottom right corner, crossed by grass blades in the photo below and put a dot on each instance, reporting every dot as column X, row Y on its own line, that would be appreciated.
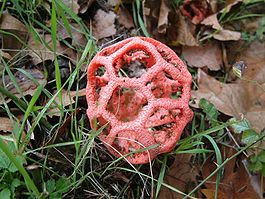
column 236, row 182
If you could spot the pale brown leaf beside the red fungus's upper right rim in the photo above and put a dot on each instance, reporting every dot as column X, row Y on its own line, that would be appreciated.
column 209, row 55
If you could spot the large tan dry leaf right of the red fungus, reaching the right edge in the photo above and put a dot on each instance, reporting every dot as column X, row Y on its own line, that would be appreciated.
column 245, row 97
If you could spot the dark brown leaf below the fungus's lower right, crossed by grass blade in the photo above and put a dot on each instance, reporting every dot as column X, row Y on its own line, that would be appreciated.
column 181, row 175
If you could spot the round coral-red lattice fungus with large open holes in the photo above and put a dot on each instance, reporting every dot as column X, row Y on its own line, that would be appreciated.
column 141, row 90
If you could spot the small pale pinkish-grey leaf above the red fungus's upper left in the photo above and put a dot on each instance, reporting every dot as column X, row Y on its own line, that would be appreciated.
column 103, row 24
